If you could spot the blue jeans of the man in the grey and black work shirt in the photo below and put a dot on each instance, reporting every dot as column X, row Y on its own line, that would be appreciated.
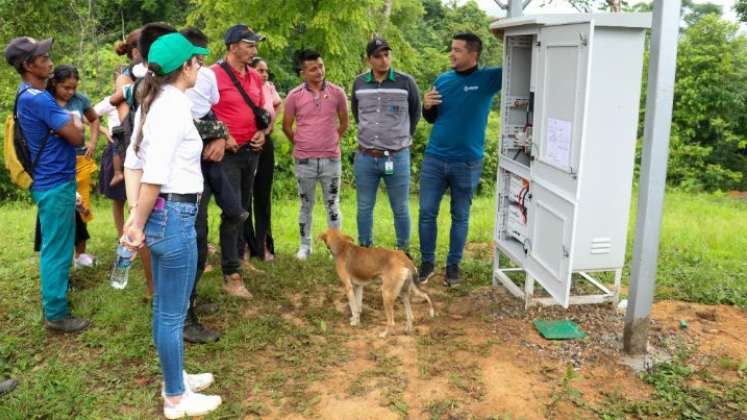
column 368, row 173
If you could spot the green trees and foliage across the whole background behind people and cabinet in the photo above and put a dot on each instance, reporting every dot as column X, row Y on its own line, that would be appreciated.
column 708, row 144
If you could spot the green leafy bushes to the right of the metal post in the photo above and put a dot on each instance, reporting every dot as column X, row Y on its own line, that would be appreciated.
column 709, row 135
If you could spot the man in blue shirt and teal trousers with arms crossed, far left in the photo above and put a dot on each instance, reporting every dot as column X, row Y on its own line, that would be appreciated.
column 52, row 134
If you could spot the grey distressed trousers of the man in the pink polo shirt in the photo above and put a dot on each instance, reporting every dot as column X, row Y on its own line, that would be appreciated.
column 328, row 172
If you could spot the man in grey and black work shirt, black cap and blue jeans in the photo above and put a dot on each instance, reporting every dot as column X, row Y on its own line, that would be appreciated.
column 386, row 107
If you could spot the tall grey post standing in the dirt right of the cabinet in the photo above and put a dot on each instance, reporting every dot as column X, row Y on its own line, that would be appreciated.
column 662, row 66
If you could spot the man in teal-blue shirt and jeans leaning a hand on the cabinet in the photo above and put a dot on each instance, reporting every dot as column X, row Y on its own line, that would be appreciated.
column 458, row 107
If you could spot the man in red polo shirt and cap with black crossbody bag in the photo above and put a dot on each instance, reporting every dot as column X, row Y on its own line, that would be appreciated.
column 237, row 82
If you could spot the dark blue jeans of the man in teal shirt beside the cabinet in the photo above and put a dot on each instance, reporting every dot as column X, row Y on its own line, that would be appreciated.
column 461, row 179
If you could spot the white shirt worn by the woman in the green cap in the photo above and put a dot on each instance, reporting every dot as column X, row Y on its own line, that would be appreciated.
column 170, row 150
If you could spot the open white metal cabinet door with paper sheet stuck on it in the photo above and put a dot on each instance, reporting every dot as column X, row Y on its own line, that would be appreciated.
column 560, row 112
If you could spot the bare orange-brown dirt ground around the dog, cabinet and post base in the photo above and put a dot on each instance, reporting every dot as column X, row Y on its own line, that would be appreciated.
column 481, row 357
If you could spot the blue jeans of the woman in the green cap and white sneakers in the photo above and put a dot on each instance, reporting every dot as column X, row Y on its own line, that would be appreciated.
column 170, row 235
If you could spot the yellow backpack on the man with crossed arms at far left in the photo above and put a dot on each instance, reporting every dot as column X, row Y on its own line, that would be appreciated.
column 16, row 153
